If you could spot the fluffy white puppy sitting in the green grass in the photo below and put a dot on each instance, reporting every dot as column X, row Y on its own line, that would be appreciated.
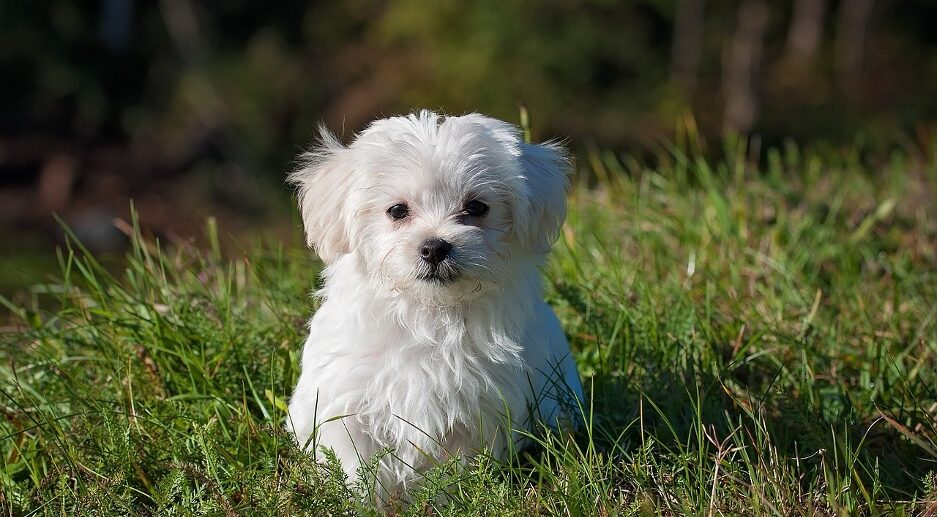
column 433, row 338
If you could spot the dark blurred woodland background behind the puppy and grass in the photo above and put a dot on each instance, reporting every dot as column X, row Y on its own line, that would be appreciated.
column 194, row 108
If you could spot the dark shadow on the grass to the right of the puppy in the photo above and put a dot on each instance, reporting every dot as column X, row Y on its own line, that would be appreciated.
column 671, row 414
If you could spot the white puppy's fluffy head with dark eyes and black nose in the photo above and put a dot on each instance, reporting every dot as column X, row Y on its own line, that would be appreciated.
column 437, row 209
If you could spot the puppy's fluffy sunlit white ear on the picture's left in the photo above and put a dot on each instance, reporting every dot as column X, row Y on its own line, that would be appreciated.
column 324, row 183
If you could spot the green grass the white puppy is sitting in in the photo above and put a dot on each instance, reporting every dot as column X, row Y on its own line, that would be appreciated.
column 757, row 339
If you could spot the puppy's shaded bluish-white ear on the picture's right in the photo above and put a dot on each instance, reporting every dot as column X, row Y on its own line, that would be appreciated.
column 543, row 202
